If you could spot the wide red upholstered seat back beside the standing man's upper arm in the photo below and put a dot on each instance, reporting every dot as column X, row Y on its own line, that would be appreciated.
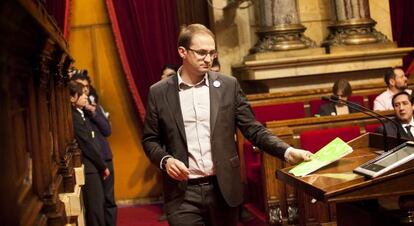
column 266, row 113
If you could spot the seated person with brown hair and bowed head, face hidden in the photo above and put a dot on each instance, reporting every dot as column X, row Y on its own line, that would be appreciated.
column 343, row 90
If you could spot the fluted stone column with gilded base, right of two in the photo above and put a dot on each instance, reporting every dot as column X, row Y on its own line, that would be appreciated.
column 352, row 24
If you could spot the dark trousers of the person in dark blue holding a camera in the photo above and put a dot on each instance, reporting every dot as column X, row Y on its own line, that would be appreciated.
column 110, row 205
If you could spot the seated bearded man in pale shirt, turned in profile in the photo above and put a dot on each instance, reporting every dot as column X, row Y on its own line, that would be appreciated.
column 396, row 82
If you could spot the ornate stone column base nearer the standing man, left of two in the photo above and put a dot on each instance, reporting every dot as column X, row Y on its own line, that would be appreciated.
column 279, row 26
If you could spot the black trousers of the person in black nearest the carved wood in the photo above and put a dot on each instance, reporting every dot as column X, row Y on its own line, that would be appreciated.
column 94, row 199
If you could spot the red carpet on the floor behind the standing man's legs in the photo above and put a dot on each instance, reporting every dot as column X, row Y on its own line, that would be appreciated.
column 147, row 215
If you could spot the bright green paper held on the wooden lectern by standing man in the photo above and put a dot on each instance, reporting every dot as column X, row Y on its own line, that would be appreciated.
column 333, row 151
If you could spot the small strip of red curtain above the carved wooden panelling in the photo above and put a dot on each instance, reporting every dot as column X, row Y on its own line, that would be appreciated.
column 59, row 10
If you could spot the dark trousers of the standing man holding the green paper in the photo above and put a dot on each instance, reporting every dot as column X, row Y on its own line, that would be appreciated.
column 204, row 205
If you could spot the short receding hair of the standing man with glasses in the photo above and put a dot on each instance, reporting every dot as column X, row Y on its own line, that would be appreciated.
column 187, row 32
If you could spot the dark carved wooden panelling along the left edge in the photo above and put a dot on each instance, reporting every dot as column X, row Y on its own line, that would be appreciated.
column 36, row 160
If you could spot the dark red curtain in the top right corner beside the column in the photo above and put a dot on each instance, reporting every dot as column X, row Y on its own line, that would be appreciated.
column 402, row 20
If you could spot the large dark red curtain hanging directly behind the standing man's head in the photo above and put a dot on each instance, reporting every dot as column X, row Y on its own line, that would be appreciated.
column 146, row 37
